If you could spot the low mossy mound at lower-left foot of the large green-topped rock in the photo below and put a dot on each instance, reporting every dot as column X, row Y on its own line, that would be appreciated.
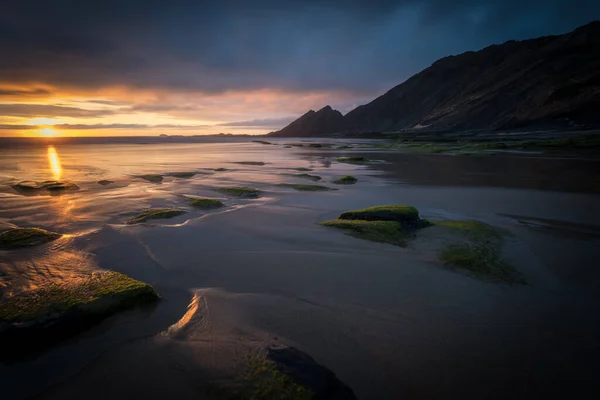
column 376, row 231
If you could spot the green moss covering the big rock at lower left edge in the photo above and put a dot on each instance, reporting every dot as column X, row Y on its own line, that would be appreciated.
column 101, row 293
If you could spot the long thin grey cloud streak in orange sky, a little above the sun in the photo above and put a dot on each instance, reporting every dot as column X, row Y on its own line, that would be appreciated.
column 44, row 110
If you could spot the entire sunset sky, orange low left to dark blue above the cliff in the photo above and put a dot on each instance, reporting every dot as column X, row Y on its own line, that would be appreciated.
column 102, row 68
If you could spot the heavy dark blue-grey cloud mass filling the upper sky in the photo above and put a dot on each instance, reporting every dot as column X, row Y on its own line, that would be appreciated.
column 355, row 46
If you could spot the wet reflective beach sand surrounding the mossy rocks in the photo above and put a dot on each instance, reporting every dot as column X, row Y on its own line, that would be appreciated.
column 389, row 321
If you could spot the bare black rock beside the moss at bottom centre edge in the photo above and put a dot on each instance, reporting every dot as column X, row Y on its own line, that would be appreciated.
column 305, row 371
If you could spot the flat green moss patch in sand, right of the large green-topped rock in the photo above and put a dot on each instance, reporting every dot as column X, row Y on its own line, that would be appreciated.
column 480, row 256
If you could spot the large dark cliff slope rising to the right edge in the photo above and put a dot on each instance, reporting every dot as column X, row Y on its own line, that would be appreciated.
column 549, row 82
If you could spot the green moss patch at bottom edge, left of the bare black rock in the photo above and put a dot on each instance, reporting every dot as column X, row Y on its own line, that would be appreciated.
column 262, row 380
